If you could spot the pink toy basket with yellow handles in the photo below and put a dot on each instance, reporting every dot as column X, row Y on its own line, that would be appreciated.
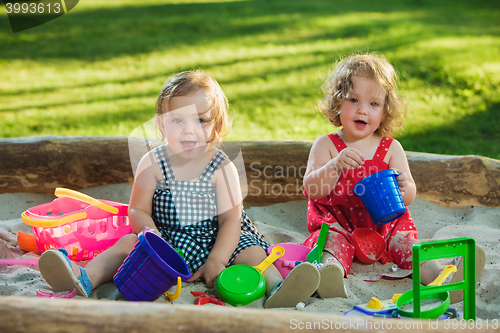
column 80, row 224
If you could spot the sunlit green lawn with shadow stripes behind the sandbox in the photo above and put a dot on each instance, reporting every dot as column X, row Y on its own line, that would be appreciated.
column 97, row 70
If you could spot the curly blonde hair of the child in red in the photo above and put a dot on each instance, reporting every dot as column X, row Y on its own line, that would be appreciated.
column 338, row 87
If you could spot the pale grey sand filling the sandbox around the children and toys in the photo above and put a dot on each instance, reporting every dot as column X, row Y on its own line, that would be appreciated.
column 284, row 222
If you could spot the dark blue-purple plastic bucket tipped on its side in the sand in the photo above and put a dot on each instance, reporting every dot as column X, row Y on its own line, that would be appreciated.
column 150, row 269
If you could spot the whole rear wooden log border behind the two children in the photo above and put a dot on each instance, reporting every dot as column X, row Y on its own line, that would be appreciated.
column 274, row 169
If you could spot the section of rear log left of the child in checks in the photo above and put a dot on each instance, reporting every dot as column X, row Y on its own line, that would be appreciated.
column 40, row 164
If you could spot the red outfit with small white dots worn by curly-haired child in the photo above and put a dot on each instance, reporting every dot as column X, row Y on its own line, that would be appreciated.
column 344, row 212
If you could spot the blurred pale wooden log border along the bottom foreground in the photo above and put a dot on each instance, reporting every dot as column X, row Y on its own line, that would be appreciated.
column 32, row 314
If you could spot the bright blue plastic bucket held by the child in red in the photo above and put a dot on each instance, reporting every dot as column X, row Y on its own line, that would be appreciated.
column 381, row 196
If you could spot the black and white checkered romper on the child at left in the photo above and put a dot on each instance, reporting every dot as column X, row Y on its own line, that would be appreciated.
column 185, row 213
